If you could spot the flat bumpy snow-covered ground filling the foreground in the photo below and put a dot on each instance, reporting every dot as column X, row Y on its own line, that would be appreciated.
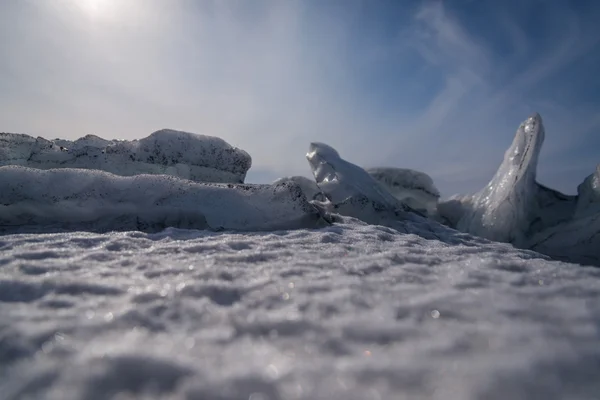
column 349, row 311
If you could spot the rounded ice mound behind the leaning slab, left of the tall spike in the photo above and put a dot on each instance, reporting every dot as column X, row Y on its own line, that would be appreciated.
column 414, row 188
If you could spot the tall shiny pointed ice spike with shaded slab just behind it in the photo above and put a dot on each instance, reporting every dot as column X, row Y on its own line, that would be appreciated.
column 513, row 206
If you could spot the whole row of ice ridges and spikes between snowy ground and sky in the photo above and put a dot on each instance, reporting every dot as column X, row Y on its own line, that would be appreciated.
column 512, row 208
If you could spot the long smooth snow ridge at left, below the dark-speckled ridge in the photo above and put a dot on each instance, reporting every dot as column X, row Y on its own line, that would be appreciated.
column 74, row 199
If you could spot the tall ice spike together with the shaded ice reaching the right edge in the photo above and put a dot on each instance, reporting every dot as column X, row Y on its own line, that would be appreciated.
column 514, row 208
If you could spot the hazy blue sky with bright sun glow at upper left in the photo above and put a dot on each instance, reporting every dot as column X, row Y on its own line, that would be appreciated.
column 438, row 86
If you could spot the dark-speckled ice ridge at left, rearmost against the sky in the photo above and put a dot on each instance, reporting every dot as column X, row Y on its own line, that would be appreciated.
column 176, row 153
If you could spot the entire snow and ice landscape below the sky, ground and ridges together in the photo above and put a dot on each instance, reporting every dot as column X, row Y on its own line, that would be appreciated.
column 124, row 274
